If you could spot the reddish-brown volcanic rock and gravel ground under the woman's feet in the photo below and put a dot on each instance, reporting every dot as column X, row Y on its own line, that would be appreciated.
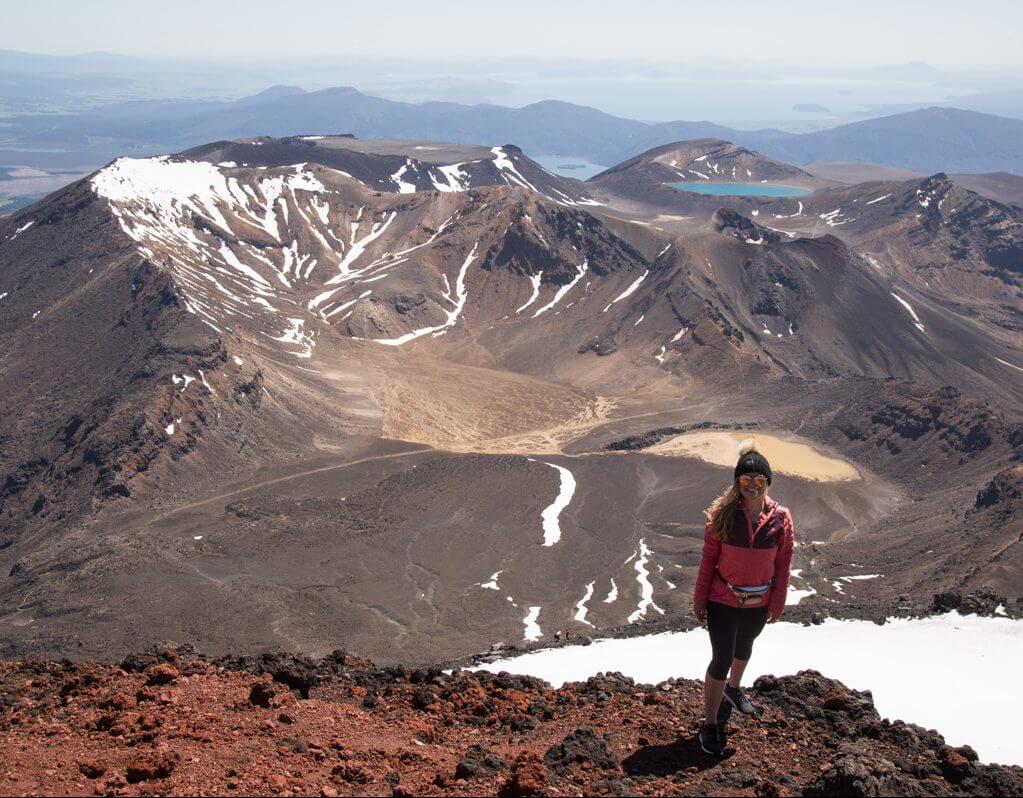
column 174, row 725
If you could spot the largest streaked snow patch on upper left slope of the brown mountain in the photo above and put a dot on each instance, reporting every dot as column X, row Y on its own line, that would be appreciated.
column 225, row 239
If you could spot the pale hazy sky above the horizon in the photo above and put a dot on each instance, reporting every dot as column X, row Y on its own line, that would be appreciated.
column 865, row 33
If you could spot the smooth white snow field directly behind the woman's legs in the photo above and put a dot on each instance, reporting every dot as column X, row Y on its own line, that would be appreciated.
column 929, row 672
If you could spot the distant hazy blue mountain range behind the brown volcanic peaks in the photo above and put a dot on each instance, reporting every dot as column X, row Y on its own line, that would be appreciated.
column 927, row 141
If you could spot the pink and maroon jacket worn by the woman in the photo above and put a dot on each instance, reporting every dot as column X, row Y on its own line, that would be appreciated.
column 757, row 557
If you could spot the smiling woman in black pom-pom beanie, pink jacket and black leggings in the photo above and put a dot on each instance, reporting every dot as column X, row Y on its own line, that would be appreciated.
column 744, row 577
